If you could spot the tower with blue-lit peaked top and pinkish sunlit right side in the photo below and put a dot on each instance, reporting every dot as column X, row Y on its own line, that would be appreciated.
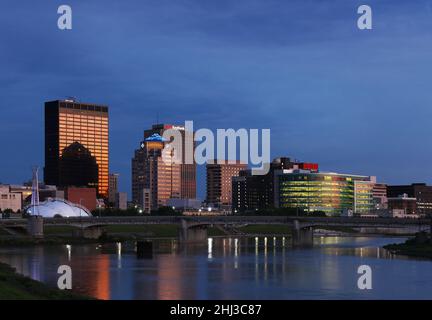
column 155, row 176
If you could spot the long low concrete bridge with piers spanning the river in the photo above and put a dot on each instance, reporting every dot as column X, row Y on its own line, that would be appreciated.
column 194, row 228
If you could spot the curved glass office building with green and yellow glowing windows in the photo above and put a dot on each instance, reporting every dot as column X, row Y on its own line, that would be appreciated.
column 332, row 193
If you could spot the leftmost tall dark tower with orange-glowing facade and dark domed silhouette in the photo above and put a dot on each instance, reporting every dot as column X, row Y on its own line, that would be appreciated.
column 76, row 143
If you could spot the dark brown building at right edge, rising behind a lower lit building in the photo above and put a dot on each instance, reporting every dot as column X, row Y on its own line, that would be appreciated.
column 420, row 191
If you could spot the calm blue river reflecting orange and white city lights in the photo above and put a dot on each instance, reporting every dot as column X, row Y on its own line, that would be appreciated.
column 229, row 268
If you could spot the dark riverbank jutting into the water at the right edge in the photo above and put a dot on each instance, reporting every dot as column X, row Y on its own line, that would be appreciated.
column 419, row 246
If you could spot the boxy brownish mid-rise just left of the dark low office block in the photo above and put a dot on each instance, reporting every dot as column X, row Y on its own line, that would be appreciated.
column 219, row 181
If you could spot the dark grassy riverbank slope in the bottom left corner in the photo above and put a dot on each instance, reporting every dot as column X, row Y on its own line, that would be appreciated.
column 14, row 286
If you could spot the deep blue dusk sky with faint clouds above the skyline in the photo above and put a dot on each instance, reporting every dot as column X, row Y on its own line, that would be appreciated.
column 355, row 101
